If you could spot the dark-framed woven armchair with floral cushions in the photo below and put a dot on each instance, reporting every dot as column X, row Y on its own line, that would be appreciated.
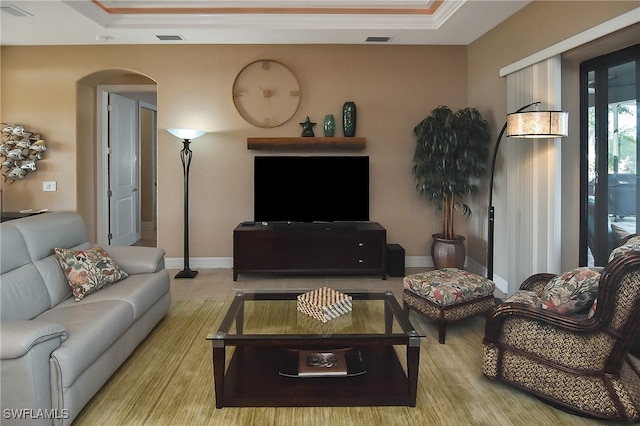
column 576, row 357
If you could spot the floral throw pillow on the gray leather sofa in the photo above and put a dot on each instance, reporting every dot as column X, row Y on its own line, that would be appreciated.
column 88, row 270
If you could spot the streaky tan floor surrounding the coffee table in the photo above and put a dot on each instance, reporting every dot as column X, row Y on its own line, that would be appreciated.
column 168, row 379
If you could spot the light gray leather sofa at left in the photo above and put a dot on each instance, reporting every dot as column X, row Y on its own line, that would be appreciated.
column 56, row 353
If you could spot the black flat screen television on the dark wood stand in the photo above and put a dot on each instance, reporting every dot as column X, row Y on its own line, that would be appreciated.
column 311, row 189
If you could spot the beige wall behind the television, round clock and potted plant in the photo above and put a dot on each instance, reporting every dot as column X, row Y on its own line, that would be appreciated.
column 50, row 90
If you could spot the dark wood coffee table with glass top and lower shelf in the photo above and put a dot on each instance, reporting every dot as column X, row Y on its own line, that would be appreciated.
column 267, row 338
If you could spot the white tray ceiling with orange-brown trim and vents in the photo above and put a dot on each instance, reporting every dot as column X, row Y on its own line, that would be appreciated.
column 412, row 22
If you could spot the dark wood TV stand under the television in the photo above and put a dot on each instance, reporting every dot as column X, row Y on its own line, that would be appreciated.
column 341, row 248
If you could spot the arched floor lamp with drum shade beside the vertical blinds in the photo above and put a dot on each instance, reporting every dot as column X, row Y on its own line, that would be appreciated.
column 523, row 124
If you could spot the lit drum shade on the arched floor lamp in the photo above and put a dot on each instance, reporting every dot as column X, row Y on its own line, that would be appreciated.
column 538, row 124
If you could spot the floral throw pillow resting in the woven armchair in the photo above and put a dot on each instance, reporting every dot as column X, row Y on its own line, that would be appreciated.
column 571, row 291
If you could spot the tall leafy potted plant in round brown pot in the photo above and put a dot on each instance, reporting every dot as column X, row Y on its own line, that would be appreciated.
column 451, row 153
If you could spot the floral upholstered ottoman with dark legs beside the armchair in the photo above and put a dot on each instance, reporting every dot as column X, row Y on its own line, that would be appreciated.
column 447, row 295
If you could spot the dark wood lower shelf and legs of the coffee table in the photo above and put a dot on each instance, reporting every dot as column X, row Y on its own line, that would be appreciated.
column 252, row 380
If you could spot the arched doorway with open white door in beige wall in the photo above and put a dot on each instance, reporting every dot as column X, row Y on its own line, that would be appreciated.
column 132, row 156
